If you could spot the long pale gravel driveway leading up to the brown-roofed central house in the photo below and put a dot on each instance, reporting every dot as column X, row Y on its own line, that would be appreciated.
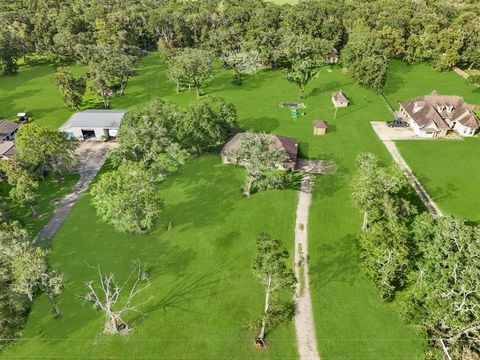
column 304, row 324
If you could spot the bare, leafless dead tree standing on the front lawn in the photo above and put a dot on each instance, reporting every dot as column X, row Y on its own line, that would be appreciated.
column 106, row 296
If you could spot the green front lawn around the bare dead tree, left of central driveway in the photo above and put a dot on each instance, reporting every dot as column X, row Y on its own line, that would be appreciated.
column 204, row 291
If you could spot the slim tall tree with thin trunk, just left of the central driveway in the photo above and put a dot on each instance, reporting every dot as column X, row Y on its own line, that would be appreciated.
column 273, row 268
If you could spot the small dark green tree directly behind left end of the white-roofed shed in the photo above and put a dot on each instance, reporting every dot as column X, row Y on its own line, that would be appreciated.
column 72, row 89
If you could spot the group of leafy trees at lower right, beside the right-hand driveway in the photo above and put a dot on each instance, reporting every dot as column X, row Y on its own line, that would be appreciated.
column 433, row 260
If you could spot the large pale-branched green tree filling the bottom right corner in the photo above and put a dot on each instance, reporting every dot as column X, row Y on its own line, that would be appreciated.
column 444, row 295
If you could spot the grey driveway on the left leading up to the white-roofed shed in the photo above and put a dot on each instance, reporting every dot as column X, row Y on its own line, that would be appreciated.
column 92, row 156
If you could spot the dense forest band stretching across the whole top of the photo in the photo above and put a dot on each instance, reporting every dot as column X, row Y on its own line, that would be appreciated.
column 445, row 32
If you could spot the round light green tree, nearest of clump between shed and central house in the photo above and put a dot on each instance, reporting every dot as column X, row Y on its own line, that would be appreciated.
column 127, row 198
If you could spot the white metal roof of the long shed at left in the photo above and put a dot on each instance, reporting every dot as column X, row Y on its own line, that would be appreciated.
column 105, row 119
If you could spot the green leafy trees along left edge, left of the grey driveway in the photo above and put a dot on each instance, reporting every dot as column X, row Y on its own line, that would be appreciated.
column 24, row 269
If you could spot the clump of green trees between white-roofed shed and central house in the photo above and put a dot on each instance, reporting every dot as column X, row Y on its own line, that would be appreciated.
column 155, row 141
